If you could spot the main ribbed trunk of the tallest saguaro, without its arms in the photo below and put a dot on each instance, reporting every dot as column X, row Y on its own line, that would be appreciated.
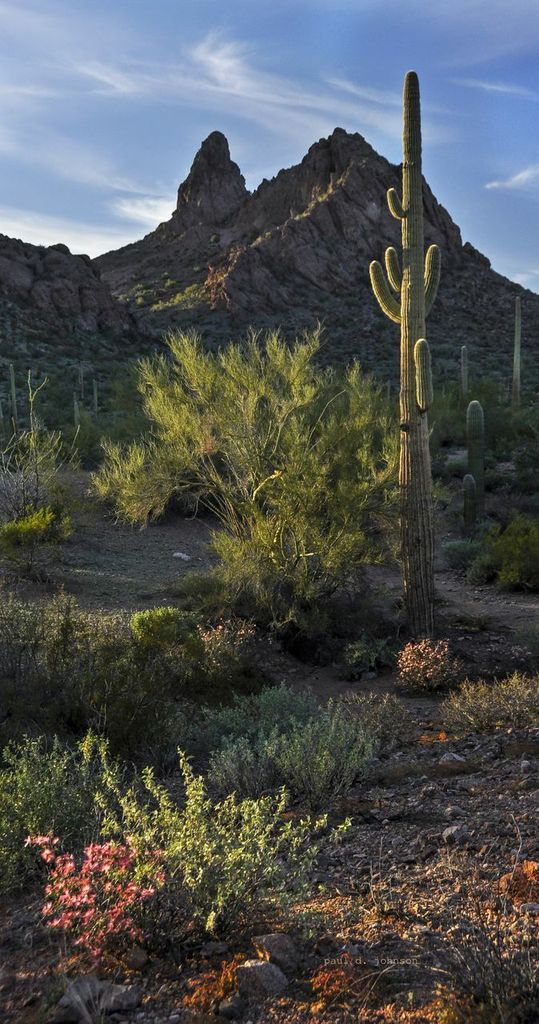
column 416, row 476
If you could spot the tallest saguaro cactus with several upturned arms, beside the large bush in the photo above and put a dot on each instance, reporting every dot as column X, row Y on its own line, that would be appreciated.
column 407, row 302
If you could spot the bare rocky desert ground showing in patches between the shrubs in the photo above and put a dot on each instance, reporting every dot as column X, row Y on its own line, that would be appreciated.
column 436, row 826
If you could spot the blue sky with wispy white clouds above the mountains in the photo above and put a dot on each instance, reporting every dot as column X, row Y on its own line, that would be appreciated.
column 104, row 104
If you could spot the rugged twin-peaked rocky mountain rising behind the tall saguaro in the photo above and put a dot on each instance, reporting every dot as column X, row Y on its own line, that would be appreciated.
column 298, row 250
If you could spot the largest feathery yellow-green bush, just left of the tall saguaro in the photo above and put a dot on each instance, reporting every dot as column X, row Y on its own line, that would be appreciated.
column 298, row 464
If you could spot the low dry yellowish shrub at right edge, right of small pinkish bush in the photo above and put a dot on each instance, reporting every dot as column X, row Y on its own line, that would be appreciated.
column 481, row 707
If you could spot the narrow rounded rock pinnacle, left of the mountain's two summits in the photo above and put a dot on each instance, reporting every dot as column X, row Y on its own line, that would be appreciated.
column 215, row 189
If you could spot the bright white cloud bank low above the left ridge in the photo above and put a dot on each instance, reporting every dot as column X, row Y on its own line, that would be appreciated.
column 42, row 230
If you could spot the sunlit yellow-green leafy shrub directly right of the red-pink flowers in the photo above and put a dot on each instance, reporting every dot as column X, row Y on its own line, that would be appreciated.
column 227, row 863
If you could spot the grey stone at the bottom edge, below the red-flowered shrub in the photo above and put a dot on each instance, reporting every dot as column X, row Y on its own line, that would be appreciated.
column 90, row 996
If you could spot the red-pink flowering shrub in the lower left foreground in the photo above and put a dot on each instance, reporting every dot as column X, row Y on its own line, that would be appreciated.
column 97, row 906
